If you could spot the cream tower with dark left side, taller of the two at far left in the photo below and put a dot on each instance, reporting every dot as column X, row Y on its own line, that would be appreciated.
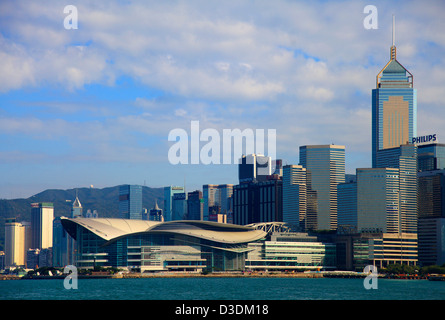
column 42, row 216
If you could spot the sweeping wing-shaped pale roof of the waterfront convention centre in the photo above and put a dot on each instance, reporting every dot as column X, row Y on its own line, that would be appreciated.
column 110, row 229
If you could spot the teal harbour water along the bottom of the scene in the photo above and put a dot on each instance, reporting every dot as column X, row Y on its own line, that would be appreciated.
column 222, row 289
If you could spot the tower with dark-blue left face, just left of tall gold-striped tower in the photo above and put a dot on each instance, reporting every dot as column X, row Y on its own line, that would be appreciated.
column 294, row 196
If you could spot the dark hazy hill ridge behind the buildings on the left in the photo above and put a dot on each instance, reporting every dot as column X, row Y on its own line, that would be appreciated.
column 105, row 201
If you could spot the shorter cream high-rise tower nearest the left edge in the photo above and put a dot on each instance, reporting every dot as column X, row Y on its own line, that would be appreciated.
column 14, row 243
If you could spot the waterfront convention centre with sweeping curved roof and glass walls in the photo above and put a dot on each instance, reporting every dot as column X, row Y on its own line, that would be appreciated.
column 155, row 246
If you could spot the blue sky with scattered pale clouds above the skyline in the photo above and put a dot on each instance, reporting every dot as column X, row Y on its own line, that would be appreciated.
column 94, row 106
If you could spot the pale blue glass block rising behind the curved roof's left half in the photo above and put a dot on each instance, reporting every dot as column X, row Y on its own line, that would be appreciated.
column 130, row 201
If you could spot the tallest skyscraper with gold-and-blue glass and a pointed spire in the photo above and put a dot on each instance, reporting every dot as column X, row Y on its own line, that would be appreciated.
column 394, row 106
